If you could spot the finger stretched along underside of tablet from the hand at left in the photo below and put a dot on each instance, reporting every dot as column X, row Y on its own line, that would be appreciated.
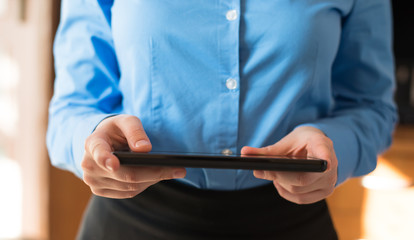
column 148, row 174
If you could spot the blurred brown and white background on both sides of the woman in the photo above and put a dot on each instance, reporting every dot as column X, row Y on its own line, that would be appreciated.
column 40, row 202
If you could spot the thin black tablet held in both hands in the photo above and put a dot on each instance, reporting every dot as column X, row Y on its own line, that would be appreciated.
column 220, row 161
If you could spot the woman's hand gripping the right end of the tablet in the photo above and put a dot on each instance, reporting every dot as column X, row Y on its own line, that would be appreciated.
column 301, row 187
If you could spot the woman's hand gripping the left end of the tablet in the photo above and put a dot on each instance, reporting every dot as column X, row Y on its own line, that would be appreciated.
column 102, row 171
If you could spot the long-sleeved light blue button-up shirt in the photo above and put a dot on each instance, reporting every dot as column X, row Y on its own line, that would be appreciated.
column 208, row 76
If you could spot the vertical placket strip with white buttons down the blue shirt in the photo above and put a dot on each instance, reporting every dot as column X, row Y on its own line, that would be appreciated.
column 229, row 77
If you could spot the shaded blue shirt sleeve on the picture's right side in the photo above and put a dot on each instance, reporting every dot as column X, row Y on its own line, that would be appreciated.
column 364, row 113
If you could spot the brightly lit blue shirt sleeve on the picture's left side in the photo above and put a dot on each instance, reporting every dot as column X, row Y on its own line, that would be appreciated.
column 86, row 85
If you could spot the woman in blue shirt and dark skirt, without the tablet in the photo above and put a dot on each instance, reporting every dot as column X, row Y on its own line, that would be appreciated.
column 307, row 78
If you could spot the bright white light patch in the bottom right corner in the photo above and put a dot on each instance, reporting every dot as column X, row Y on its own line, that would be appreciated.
column 388, row 207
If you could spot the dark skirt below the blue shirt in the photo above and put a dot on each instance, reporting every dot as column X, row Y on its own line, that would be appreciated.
column 171, row 210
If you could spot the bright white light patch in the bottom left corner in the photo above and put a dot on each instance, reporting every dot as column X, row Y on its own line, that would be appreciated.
column 11, row 199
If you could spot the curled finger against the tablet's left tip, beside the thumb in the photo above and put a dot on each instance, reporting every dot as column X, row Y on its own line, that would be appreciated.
column 99, row 149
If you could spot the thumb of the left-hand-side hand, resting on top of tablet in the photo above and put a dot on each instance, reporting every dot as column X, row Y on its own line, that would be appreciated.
column 134, row 132
